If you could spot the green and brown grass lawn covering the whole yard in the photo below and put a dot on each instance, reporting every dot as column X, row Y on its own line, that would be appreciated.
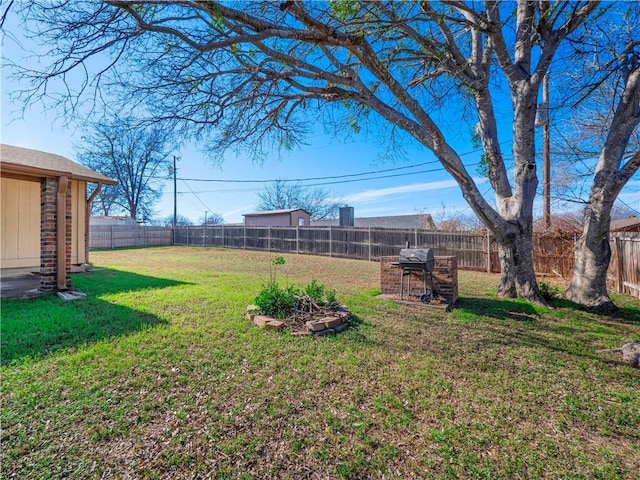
column 157, row 374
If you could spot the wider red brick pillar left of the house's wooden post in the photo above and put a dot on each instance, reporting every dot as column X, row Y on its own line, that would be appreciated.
column 48, row 189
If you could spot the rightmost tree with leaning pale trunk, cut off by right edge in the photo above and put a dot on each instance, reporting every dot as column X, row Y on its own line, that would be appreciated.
column 603, row 144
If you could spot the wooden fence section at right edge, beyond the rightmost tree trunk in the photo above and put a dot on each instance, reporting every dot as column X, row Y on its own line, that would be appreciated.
column 624, row 268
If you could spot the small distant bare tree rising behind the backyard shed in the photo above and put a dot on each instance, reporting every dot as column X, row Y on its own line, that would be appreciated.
column 282, row 194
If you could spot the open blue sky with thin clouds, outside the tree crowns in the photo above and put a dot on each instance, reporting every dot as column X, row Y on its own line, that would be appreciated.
column 423, row 188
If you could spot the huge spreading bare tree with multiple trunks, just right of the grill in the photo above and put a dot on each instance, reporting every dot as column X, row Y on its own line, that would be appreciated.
column 257, row 71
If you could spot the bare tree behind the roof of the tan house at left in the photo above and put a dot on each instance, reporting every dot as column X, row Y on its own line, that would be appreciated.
column 135, row 157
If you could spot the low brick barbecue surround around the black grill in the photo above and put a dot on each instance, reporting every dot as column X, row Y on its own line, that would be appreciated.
column 445, row 278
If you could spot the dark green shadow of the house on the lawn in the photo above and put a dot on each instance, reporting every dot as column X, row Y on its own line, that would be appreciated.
column 41, row 326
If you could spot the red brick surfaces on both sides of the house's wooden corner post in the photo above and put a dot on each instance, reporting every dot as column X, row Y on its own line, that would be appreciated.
column 48, row 235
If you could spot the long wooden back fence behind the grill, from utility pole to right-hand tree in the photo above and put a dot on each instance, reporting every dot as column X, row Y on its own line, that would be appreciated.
column 553, row 255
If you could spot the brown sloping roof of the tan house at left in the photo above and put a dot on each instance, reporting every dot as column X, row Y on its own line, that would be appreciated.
column 34, row 162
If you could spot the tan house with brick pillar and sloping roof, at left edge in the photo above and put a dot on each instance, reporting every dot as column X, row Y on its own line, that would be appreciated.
column 44, row 213
